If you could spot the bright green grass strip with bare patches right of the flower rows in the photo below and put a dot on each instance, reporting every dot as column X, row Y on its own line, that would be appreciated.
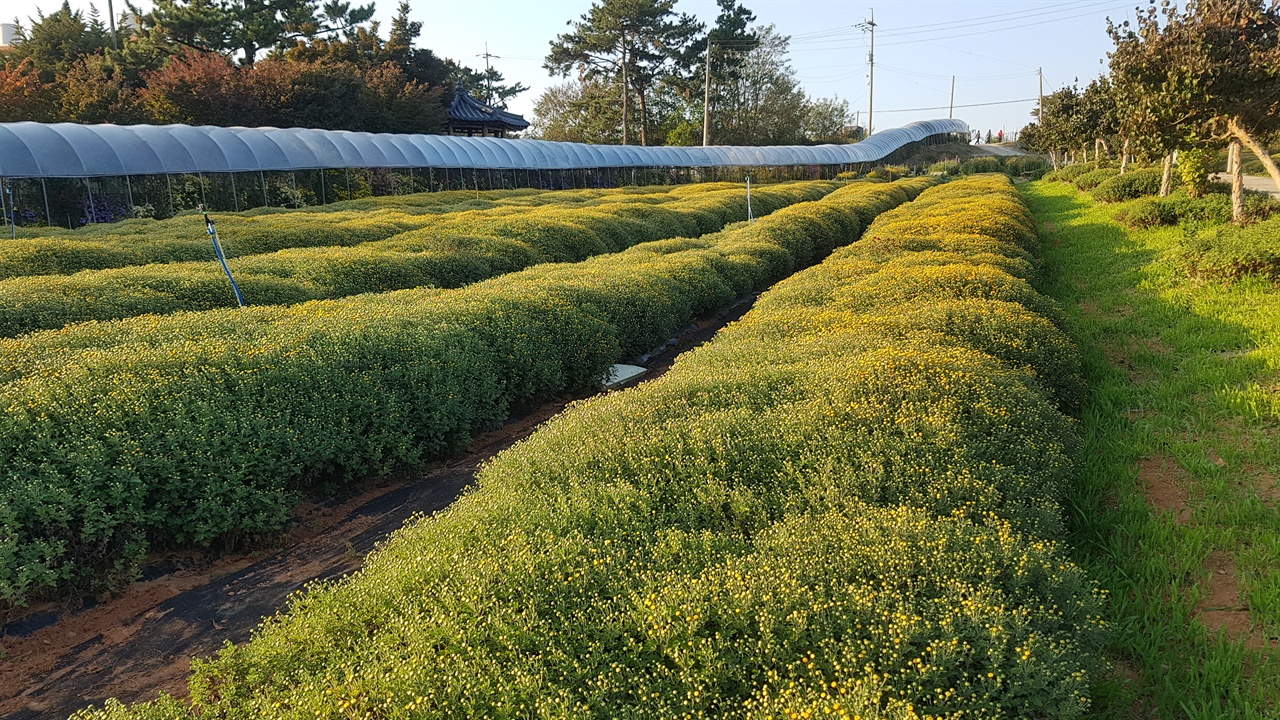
column 1183, row 373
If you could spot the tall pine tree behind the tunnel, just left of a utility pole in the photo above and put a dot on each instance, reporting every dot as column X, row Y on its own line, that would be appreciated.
column 632, row 44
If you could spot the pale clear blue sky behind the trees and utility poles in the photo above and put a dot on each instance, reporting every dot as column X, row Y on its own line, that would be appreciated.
column 993, row 48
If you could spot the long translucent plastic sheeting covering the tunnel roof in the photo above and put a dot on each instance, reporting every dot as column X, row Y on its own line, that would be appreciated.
column 68, row 151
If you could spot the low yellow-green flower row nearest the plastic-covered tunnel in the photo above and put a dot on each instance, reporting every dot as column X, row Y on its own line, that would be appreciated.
column 182, row 239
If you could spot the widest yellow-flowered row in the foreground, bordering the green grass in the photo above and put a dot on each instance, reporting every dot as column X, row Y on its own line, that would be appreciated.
column 843, row 507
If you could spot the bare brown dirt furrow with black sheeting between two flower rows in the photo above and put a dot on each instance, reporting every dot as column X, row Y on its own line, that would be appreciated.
column 57, row 662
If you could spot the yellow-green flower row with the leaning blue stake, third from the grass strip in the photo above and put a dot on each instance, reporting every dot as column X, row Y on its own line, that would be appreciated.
column 452, row 252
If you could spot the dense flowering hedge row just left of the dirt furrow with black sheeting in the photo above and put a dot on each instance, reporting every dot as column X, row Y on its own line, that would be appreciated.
column 200, row 427
